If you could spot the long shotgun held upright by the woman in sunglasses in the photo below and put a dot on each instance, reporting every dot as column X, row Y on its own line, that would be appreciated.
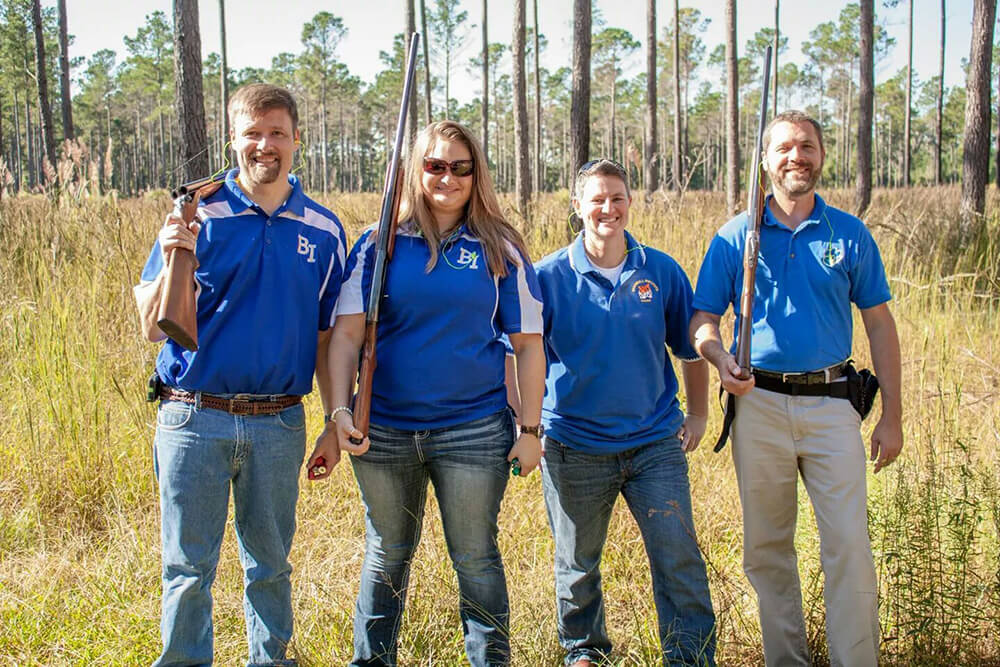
column 385, row 237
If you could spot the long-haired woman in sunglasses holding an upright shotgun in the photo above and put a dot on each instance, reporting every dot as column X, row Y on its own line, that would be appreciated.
column 459, row 279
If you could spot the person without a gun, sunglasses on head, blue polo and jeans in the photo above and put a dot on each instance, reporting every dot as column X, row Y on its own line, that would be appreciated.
column 614, row 424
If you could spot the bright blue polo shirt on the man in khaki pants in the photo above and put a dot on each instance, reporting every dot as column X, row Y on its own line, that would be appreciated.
column 806, row 281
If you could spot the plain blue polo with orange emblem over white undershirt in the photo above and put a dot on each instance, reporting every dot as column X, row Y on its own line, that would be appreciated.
column 610, row 384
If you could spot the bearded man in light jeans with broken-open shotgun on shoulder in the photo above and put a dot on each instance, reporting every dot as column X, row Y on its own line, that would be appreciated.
column 270, row 267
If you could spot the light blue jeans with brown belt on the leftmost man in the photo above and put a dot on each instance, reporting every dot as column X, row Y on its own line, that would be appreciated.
column 199, row 454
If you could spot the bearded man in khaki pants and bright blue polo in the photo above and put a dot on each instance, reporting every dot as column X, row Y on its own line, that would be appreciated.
column 815, row 261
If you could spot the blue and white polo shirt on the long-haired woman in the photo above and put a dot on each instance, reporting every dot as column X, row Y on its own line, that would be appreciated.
column 440, row 359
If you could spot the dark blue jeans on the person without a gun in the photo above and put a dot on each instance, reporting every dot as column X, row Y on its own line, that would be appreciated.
column 580, row 492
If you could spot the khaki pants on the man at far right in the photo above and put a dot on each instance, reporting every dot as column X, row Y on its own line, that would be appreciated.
column 775, row 438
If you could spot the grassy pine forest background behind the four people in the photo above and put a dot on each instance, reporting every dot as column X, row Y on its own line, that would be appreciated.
column 91, row 143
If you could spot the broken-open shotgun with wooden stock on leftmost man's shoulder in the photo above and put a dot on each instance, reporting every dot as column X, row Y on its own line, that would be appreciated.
column 178, row 313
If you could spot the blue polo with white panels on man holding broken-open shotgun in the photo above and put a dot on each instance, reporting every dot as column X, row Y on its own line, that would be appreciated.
column 265, row 286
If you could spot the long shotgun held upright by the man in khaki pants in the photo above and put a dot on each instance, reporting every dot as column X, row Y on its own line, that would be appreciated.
column 751, row 251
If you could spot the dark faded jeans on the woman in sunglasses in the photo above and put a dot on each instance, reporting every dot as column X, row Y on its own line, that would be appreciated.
column 468, row 466
